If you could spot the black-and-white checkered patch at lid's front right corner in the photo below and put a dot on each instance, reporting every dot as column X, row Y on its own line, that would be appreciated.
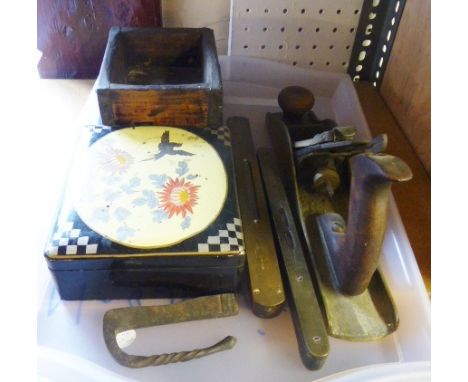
column 227, row 240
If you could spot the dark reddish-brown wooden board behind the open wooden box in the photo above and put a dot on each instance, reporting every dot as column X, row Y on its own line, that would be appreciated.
column 72, row 34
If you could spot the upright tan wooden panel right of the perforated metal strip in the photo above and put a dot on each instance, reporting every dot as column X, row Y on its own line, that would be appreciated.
column 406, row 86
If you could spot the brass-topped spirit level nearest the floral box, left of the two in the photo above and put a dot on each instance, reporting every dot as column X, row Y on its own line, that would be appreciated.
column 265, row 278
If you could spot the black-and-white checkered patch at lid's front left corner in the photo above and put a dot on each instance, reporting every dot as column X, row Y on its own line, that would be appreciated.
column 68, row 241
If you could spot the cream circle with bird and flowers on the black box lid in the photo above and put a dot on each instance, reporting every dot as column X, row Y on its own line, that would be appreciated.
column 150, row 186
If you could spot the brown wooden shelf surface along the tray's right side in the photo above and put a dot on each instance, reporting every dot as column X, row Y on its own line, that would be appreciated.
column 414, row 197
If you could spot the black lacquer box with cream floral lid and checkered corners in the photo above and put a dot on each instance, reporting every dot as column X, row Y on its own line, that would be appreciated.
column 148, row 212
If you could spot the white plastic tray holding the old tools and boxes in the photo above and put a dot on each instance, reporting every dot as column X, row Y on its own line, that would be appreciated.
column 70, row 333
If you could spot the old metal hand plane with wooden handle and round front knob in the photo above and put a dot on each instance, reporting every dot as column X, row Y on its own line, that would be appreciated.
column 338, row 188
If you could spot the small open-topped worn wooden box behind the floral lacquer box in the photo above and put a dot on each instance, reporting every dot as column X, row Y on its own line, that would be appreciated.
column 160, row 76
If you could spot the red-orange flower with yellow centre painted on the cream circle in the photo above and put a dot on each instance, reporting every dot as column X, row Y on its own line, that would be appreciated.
column 178, row 197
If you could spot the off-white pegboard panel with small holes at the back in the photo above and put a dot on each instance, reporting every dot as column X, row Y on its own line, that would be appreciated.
column 315, row 34
